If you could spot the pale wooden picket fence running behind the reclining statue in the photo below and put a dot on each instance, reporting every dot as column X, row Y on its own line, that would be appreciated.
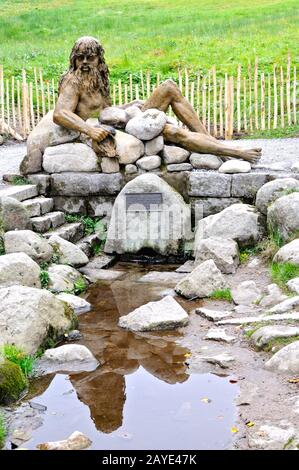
column 251, row 100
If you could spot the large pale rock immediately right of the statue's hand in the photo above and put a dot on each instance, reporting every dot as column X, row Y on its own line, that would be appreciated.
column 128, row 148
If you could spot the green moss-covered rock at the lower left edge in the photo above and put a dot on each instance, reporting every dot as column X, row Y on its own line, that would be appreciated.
column 12, row 382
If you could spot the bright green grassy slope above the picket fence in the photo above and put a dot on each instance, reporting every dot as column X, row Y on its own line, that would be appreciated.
column 150, row 34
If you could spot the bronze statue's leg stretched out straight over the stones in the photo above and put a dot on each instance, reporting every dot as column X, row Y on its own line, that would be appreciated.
column 201, row 143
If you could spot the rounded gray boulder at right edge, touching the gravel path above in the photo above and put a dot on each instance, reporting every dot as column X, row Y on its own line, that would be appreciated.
column 271, row 191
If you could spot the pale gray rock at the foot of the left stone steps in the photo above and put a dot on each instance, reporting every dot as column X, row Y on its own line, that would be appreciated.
column 67, row 252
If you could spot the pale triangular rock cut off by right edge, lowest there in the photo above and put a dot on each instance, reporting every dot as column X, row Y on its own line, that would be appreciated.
column 286, row 360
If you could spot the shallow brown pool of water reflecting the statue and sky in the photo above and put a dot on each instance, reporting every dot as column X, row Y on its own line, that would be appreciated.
column 141, row 396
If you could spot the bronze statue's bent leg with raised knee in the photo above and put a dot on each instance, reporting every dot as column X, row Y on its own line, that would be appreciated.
column 168, row 94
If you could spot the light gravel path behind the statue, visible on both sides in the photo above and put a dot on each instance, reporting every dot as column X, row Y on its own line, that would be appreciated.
column 278, row 154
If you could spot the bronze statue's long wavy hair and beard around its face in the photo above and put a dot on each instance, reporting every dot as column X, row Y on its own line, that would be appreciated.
column 97, row 80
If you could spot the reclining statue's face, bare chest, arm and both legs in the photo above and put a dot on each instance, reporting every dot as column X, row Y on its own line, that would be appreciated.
column 78, row 100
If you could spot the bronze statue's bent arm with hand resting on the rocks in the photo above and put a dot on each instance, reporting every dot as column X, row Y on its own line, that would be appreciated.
column 65, row 115
